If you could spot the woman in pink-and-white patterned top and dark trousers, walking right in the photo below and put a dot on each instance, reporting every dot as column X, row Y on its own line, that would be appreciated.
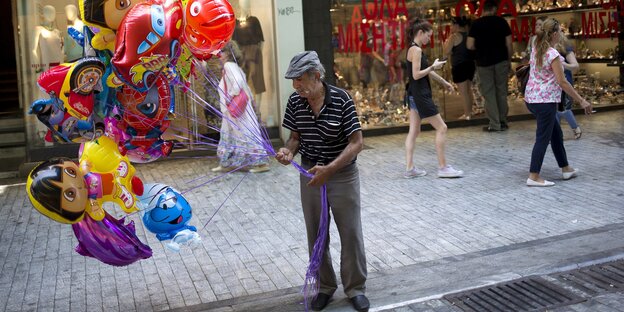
column 542, row 96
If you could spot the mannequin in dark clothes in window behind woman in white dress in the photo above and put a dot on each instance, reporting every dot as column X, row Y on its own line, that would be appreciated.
column 248, row 35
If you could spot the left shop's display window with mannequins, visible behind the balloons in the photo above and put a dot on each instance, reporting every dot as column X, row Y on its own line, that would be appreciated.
column 45, row 40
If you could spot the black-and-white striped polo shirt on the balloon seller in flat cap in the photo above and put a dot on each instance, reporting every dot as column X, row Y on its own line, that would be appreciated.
column 322, row 139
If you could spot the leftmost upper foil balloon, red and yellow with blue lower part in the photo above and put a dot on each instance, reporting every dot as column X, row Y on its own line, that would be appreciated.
column 68, row 112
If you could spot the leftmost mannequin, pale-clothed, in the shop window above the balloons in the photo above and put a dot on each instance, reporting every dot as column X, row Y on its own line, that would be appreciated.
column 47, row 43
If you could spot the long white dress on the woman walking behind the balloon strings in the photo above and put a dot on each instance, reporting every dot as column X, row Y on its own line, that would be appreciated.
column 241, row 139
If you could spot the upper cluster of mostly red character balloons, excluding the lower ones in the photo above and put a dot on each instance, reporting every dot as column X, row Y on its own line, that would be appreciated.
column 137, row 51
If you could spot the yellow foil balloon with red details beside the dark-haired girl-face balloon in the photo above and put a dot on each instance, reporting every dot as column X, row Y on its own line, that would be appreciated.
column 110, row 174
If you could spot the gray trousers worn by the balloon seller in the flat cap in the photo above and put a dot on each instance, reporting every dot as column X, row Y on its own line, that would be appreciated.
column 343, row 195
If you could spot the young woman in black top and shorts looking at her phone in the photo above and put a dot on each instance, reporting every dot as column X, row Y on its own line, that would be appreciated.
column 420, row 101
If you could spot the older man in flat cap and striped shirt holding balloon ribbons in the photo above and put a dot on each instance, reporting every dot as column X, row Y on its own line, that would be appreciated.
column 326, row 132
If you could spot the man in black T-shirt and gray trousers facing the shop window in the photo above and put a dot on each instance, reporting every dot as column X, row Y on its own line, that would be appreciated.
column 490, row 37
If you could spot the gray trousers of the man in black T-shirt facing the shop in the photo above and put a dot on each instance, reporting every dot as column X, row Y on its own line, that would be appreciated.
column 494, row 88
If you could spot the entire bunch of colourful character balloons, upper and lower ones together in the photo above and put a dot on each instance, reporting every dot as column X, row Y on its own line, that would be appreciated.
column 117, row 101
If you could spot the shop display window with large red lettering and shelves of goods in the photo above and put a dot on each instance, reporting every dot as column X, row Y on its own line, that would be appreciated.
column 369, row 41
